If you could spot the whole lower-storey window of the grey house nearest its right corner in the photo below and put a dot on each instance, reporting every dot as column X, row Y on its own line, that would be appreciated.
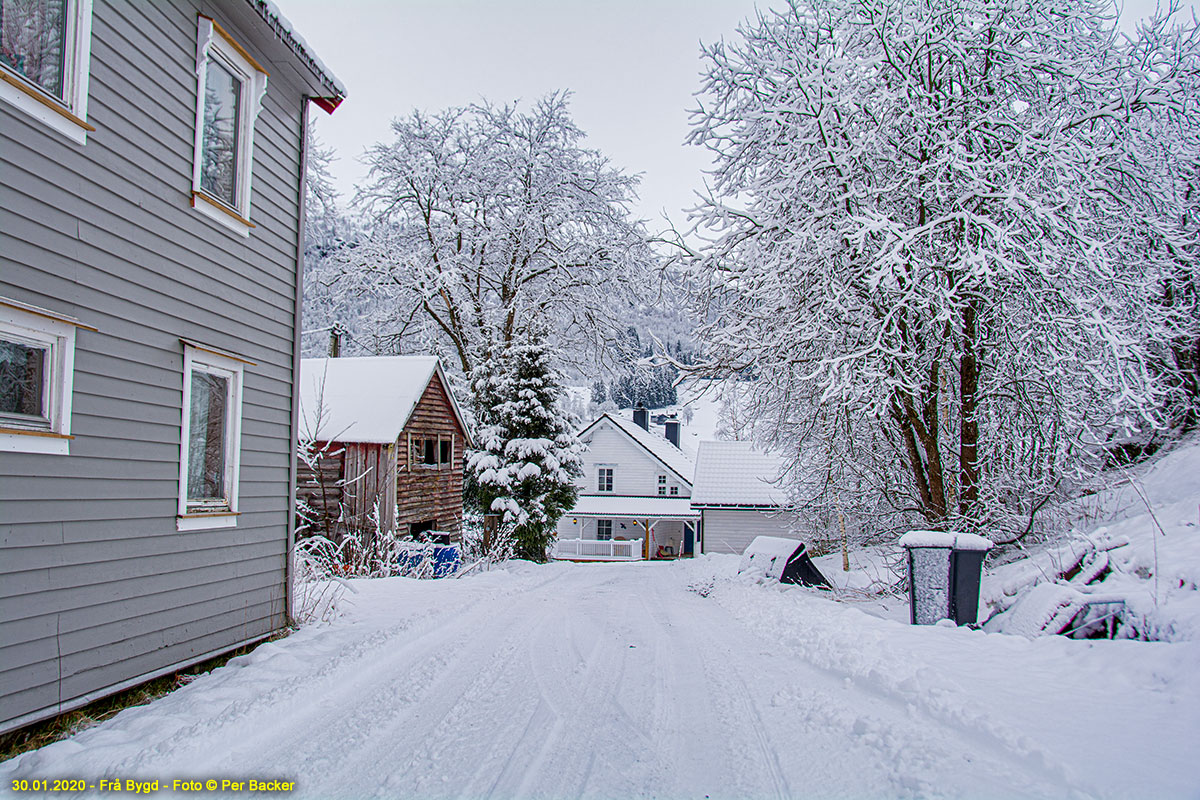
column 211, row 438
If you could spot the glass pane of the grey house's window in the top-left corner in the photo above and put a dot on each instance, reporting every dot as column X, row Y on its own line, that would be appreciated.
column 33, row 40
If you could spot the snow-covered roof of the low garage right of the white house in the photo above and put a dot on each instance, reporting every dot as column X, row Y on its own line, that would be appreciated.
column 737, row 474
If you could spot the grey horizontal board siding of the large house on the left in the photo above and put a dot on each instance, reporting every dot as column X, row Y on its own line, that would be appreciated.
column 97, row 586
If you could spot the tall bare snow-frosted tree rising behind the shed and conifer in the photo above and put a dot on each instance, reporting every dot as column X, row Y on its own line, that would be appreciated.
column 485, row 219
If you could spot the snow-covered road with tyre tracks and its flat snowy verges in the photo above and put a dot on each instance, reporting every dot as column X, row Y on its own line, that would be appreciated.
column 667, row 681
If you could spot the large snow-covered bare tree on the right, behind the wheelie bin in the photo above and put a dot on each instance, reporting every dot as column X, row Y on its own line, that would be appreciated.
column 934, row 236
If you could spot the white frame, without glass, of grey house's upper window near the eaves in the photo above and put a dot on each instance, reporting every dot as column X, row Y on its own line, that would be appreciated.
column 213, row 43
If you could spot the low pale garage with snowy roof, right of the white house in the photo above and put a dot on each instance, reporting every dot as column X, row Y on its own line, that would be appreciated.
column 737, row 496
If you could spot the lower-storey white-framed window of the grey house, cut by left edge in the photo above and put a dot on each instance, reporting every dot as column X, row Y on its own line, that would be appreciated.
column 37, row 374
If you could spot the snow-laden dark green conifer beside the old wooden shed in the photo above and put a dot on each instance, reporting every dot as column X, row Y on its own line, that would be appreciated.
column 529, row 456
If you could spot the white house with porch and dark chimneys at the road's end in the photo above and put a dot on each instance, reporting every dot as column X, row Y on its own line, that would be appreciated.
column 635, row 495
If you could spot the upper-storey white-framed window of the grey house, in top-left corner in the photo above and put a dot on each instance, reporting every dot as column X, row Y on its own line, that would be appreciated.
column 45, row 61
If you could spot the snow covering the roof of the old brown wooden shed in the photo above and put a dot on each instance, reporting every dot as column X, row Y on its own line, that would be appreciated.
column 364, row 399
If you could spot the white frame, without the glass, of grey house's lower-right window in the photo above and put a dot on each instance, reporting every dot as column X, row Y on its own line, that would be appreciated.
column 199, row 358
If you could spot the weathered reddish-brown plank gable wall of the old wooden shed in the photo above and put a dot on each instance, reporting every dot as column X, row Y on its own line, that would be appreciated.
column 424, row 494
